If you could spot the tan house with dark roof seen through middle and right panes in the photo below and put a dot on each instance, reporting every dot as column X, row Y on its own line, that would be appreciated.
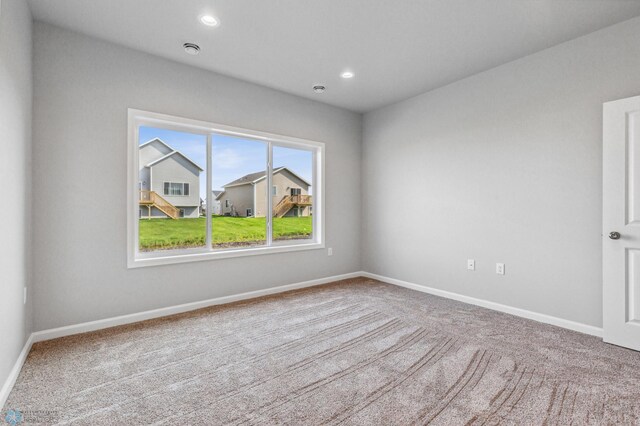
column 246, row 196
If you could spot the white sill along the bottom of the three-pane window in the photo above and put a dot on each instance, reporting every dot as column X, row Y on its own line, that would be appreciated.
column 196, row 255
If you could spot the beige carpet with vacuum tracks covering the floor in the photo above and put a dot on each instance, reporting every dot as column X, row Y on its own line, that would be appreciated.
column 354, row 352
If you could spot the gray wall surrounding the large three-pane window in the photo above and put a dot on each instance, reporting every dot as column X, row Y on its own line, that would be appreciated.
column 83, row 88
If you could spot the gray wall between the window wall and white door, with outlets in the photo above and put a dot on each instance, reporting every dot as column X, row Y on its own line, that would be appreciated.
column 504, row 166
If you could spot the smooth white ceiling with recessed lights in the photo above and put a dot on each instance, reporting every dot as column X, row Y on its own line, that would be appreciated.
column 397, row 48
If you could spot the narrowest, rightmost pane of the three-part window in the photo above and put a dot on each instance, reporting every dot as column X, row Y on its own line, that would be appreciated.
column 293, row 204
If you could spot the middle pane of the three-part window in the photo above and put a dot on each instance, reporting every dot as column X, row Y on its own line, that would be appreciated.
column 239, row 195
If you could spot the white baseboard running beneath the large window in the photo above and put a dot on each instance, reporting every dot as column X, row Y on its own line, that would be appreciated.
column 69, row 330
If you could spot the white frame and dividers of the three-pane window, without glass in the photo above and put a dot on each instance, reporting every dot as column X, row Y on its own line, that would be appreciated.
column 136, row 259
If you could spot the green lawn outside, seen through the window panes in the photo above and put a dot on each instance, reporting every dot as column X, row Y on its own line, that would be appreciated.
column 226, row 231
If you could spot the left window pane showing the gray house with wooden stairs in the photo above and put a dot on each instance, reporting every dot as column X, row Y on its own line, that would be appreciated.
column 170, row 163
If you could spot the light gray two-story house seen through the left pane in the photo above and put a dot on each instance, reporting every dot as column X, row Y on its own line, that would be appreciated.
column 169, row 182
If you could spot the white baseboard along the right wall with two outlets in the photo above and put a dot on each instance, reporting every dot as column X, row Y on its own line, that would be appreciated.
column 547, row 319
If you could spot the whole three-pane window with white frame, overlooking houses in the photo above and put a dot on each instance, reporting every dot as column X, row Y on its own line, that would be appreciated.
column 188, row 161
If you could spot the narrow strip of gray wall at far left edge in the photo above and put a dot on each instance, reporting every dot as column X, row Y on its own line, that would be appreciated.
column 15, row 172
